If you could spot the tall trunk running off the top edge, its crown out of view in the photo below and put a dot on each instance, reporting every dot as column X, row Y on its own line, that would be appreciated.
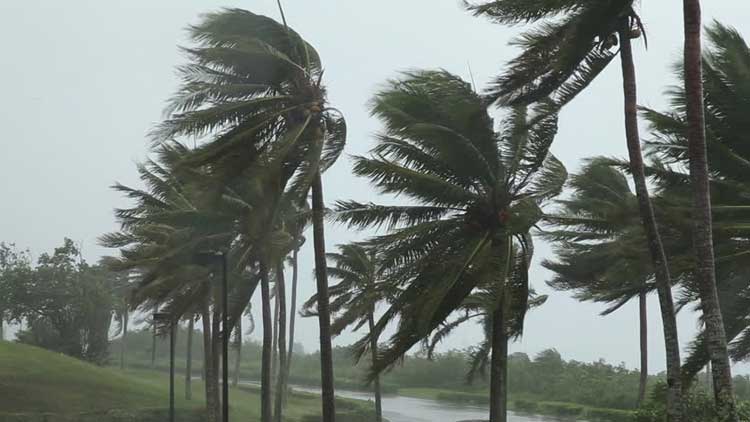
column 702, row 223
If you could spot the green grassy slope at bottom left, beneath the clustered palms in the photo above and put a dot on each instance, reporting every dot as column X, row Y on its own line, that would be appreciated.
column 34, row 381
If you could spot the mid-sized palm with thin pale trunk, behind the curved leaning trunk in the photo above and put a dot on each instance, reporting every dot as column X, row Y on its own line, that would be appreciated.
column 599, row 246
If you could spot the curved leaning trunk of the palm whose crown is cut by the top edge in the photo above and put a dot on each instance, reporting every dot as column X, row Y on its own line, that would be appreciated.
column 648, row 218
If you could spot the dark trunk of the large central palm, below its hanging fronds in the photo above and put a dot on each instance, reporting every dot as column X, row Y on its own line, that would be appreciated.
column 499, row 368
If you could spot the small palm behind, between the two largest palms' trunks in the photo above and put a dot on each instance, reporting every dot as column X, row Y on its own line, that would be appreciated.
column 355, row 298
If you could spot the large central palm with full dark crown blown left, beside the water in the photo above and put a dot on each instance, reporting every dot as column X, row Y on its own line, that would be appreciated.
column 476, row 193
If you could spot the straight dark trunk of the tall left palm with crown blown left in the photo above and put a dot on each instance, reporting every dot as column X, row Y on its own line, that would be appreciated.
column 324, row 313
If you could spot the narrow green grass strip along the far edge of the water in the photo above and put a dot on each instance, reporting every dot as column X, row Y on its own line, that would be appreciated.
column 523, row 404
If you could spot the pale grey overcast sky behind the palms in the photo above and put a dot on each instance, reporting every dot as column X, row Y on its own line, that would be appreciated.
column 82, row 82
